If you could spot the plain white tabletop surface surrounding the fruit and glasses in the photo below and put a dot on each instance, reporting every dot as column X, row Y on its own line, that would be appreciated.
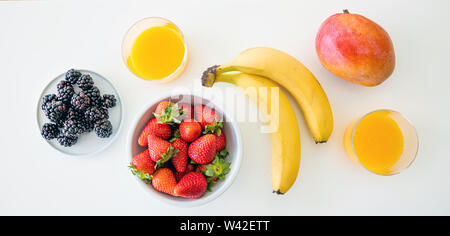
column 40, row 40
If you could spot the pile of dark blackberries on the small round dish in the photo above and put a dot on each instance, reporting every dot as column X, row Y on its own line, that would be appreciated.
column 73, row 113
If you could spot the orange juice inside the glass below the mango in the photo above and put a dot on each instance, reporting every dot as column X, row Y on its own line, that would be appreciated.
column 377, row 142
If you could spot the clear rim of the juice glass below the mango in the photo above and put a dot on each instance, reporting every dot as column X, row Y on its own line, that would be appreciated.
column 409, row 123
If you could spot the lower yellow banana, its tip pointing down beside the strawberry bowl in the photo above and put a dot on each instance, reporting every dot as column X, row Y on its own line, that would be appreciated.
column 286, row 149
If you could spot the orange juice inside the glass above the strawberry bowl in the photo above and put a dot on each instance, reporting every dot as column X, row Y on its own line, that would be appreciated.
column 157, row 52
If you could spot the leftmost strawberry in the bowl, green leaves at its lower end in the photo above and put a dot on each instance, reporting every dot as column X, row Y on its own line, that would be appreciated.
column 143, row 166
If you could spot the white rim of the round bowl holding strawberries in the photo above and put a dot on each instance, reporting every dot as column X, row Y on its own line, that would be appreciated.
column 230, row 177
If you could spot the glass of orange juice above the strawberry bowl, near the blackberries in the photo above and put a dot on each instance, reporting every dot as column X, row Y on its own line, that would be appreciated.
column 155, row 49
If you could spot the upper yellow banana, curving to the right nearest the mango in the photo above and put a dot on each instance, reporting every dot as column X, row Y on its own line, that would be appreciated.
column 294, row 77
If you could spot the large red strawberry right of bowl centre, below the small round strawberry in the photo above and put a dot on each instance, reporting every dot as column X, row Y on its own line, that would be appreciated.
column 203, row 149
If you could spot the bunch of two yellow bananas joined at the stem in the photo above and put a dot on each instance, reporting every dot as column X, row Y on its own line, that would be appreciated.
column 267, row 67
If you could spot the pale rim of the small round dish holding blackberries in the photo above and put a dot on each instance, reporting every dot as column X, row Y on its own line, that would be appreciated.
column 103, row 148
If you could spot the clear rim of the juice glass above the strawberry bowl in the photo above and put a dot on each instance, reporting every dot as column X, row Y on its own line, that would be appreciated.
column 176, row 71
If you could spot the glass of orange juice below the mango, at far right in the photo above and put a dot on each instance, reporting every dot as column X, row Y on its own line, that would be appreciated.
column 383, row 141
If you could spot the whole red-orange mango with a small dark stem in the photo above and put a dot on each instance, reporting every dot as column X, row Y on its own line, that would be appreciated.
column 356, row 49
